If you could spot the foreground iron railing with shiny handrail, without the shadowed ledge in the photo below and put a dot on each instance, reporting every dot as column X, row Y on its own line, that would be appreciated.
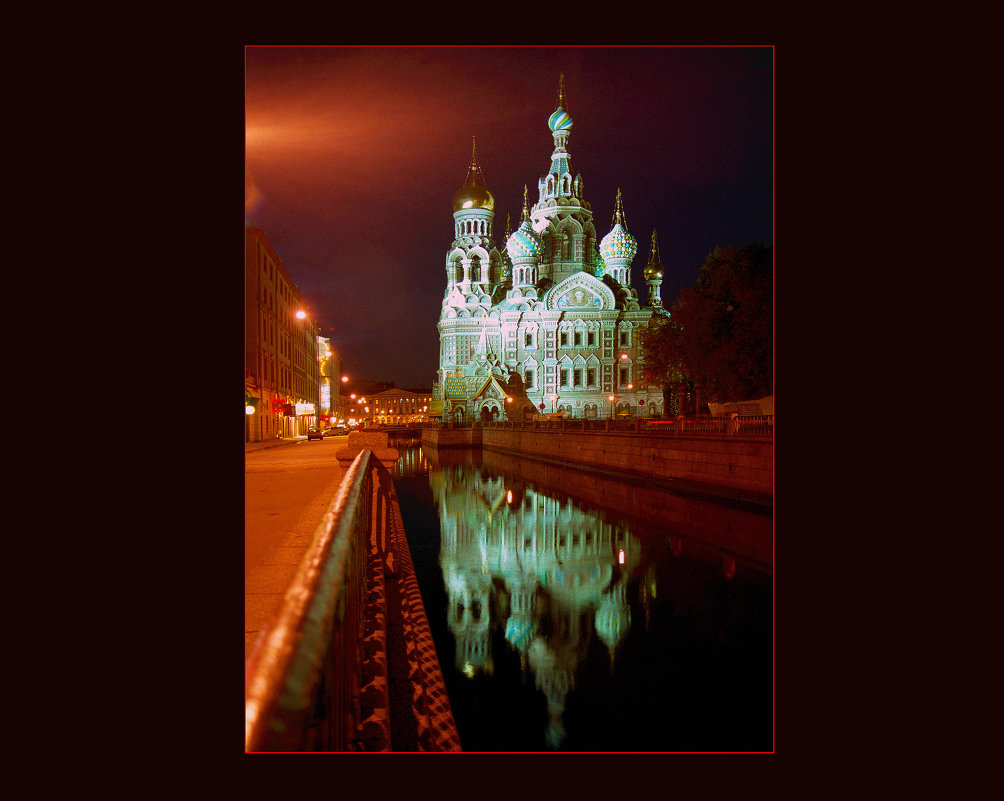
column 305, row 676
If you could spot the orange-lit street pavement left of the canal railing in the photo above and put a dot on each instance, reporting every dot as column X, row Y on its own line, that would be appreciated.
column 288, row 489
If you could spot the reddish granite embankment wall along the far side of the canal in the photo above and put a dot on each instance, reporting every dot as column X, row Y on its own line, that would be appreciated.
column 744, row 466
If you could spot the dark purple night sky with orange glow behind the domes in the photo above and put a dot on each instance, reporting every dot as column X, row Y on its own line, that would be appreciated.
column 354, row 155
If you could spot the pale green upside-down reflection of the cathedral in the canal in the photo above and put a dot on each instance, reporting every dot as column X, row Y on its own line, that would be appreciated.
column 552, row 575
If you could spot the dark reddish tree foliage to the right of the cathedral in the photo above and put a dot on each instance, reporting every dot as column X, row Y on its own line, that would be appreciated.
column 719, row 335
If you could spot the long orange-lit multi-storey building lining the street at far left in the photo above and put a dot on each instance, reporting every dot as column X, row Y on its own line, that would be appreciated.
column 282, row 370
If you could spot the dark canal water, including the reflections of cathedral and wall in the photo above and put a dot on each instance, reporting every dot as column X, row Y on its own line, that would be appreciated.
column 575, row 613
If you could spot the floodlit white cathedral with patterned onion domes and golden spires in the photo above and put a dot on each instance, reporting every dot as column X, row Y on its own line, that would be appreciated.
column 550, row 324
